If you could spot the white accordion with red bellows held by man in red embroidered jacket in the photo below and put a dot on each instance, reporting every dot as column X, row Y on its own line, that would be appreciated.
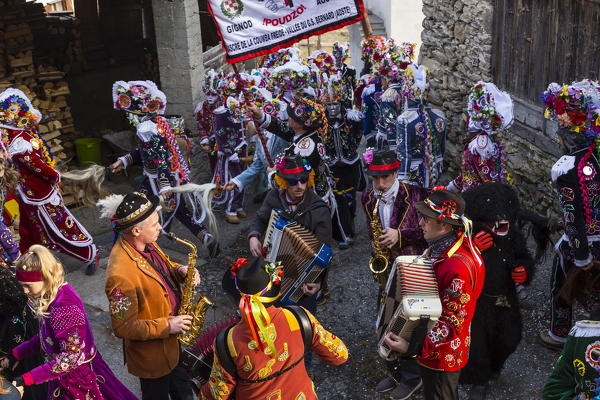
column 419, row 298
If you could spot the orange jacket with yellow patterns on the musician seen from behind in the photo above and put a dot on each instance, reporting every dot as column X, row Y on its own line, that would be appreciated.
column 254, row 364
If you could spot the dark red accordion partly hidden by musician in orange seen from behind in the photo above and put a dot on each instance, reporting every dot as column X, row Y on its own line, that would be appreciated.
column 197, row 358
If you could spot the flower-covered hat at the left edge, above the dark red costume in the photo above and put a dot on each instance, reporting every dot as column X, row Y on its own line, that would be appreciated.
column 16, row 111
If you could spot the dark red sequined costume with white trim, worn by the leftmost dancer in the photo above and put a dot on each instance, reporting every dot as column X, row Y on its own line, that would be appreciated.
column 44, row 218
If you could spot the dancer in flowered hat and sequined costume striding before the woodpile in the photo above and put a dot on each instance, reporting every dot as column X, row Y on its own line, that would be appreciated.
column 158, row 152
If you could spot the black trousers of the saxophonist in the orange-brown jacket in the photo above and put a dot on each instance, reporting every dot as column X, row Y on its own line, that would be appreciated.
column 176, row 384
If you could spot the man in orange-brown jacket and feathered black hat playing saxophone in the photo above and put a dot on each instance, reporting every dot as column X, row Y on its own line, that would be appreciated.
column 143, row 289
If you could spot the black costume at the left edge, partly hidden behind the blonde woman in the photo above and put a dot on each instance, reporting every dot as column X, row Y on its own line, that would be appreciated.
column 16, row 326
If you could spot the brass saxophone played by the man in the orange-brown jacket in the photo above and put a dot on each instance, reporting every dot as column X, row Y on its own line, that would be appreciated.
column 188, row 295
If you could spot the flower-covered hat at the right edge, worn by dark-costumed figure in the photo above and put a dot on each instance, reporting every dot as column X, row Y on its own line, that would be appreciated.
column 575, row 106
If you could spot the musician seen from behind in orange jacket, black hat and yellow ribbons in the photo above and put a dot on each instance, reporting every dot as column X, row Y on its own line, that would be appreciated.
column 261, row 357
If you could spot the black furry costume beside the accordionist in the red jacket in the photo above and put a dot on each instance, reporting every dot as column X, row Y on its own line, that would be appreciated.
column 496, row 326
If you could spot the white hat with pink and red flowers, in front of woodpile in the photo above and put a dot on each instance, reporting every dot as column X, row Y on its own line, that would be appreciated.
column 139, row 97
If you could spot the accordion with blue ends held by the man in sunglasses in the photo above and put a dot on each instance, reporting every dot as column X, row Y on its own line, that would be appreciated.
column 303, row 256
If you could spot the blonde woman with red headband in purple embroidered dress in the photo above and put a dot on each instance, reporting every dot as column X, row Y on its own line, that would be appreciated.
column 74, row 368
